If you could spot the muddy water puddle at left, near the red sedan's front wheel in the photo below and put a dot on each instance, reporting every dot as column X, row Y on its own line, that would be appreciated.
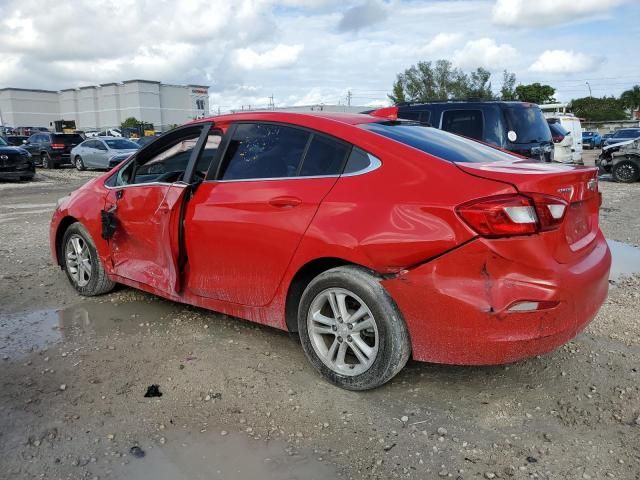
column 26, row 332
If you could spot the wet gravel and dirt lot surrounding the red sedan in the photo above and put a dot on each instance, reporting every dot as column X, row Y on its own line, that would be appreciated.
column 240, row 401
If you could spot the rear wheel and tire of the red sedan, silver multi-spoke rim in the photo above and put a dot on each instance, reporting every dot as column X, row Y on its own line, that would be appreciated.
column 366, row 343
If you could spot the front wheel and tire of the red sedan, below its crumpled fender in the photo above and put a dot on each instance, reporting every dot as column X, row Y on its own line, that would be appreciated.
column 81, row 262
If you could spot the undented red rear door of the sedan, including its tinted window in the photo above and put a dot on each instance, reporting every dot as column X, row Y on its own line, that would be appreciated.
column 243, row 225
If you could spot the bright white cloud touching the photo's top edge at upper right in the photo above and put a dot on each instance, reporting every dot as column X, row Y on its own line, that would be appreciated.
column 529, row 13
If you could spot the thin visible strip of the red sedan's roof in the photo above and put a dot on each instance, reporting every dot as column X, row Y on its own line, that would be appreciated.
column 293, row 117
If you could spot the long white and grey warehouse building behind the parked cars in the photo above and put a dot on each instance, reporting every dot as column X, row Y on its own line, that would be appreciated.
column 106, row 105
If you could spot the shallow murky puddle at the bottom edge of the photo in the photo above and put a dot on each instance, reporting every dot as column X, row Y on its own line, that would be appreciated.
column 212, row 456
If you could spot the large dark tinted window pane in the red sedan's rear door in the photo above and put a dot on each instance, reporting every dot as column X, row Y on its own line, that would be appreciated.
column 263, row 151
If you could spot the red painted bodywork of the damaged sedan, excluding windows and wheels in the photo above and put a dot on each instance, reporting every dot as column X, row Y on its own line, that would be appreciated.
column 246, row 240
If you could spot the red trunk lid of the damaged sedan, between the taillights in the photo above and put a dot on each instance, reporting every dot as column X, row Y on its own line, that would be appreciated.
column 577, row 185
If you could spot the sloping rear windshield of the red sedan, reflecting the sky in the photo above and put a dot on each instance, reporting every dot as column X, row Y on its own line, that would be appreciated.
column 439, row 143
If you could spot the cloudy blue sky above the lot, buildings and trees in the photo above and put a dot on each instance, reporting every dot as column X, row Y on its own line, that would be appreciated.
column 310, row 51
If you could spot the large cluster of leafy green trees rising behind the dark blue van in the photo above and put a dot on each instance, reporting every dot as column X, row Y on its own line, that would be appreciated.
column 440, row 80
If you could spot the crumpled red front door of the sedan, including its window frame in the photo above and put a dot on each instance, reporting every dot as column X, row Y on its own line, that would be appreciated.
column 144, row 203
